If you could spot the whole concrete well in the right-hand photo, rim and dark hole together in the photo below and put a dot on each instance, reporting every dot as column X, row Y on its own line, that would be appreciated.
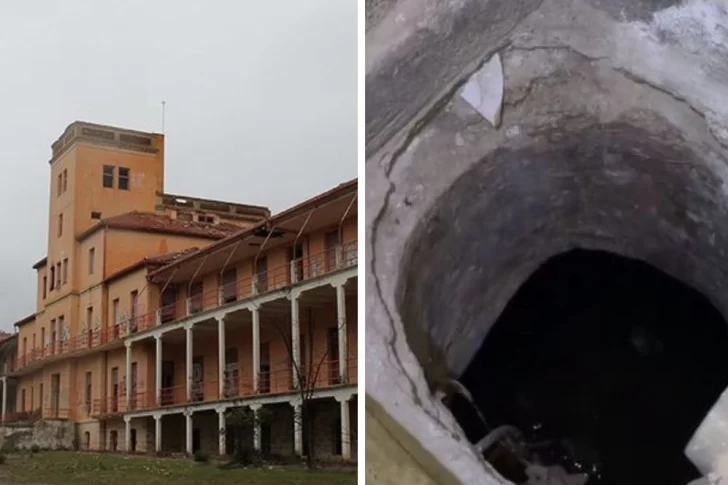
column 547, row 225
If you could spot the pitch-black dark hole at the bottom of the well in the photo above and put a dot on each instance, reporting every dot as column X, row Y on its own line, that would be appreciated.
column 607, row 361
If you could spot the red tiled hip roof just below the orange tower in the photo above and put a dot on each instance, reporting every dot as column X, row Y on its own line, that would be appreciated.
column 160, row 223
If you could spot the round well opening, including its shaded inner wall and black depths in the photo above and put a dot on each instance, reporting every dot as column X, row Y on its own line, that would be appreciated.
column 634, row 188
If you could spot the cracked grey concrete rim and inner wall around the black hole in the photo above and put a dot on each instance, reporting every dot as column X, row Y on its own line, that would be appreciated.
column 613, row 136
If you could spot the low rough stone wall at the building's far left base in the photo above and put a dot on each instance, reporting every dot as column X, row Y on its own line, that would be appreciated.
column 47, row 435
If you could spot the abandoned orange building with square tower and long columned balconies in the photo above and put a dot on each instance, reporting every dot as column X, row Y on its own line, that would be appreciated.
column 158, row 314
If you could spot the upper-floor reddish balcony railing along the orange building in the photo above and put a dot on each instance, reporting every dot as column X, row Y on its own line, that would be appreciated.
column 297, row 270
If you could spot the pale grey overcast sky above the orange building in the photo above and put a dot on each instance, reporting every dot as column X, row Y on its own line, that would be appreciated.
column 261, row 102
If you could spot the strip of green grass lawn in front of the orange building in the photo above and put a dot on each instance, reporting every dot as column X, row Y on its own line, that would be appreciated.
column 68, row 468
